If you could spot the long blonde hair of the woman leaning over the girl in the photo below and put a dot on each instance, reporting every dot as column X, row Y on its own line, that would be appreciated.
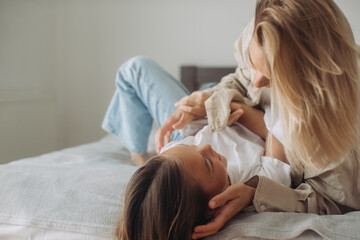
column 313, row 59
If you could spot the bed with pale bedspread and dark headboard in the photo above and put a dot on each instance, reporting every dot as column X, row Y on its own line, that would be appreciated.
column 77, row 193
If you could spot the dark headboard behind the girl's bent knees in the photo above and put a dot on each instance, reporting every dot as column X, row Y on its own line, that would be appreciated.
column 193, row 77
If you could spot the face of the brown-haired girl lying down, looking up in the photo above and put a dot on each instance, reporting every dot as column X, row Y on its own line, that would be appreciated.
column 204, row 165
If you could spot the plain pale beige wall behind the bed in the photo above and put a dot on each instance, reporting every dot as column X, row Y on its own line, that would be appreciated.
column 58, row 59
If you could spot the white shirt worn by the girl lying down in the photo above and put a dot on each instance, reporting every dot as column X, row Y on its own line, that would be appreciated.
column 243, row 150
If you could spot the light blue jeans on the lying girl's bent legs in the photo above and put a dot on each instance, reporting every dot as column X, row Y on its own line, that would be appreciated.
column 144, row 91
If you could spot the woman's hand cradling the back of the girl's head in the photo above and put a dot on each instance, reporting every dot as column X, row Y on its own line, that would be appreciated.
column 228, row 204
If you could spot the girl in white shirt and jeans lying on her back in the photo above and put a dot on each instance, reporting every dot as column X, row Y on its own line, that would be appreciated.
column 167, row 197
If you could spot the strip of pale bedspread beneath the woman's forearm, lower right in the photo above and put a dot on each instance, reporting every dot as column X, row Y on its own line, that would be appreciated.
column 280, row 225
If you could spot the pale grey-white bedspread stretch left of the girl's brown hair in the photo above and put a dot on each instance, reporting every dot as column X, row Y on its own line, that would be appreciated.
column 78, row 190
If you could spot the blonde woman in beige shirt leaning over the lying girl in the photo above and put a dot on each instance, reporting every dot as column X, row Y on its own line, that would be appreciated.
column 298, row 60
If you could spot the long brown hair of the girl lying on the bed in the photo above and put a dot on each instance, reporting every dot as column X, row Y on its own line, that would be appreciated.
column 161, row 203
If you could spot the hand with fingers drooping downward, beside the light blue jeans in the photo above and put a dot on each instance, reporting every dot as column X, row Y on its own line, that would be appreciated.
column 177, row 120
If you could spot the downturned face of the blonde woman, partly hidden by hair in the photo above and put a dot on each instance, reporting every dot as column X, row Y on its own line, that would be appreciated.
column 258, row 62
